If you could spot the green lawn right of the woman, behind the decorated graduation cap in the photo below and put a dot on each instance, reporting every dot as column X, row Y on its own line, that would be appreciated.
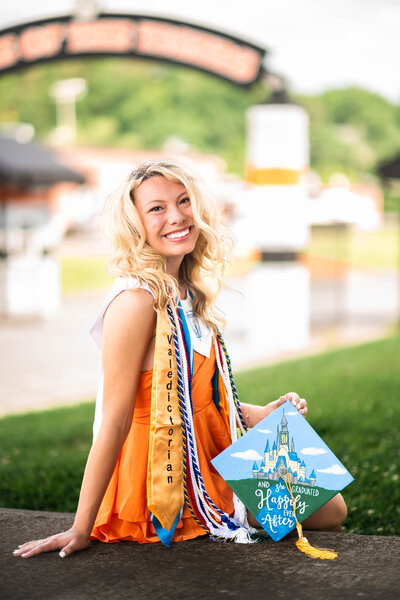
column 353, row 399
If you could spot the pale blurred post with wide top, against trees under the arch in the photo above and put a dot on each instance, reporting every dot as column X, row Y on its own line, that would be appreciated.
column 65, row 93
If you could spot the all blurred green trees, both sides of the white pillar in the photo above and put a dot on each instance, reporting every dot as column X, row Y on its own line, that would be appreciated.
column 141, row 104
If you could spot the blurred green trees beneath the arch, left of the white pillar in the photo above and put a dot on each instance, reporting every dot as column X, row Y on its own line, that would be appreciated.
column 138, row 104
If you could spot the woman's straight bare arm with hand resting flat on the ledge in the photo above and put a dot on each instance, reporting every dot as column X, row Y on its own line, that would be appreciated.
column 128, row 328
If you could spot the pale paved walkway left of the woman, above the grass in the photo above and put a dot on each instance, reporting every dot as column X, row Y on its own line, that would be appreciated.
column 53, row 362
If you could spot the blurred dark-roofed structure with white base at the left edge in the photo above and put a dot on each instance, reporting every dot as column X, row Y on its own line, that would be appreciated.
column 32, row 180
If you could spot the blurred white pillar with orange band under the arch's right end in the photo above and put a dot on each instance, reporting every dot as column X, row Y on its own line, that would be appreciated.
column 277, row 166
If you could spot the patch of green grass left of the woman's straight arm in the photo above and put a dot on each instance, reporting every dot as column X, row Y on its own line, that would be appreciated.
column 42, row 457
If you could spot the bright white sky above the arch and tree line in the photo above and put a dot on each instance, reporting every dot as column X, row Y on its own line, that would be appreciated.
column 314, row 44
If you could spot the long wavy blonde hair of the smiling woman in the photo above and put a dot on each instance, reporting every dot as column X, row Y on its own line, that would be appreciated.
column 201, row 271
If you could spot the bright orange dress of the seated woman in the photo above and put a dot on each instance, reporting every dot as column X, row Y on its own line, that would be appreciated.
column 123, row 514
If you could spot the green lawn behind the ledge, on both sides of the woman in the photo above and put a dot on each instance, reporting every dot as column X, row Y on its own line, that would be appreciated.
column 354, row 406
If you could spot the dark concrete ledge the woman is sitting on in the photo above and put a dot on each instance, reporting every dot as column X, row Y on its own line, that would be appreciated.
column 367, row 567
